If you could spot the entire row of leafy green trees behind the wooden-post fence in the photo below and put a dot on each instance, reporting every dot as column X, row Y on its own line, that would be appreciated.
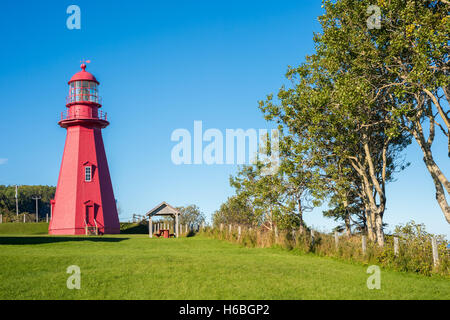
column 347, row 116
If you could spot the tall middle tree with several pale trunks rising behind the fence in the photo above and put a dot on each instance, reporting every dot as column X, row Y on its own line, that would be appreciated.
column 342, row 112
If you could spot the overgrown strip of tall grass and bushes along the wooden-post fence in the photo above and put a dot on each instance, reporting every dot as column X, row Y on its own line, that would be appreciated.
column 415, row 251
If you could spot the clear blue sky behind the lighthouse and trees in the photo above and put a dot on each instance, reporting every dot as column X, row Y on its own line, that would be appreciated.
column 163, row 65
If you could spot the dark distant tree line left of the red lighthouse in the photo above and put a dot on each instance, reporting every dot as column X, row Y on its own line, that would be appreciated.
column 25, row 196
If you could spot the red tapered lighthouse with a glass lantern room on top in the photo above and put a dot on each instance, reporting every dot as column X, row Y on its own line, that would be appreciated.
column 84, row 200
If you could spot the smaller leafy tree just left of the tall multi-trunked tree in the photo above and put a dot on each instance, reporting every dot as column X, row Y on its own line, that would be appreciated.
column 281, row 197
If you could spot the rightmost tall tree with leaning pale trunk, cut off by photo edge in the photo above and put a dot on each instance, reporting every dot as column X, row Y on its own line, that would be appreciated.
column 406, row 60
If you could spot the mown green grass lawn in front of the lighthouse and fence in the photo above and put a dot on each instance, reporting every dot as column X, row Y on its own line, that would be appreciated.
column 133, row 266
